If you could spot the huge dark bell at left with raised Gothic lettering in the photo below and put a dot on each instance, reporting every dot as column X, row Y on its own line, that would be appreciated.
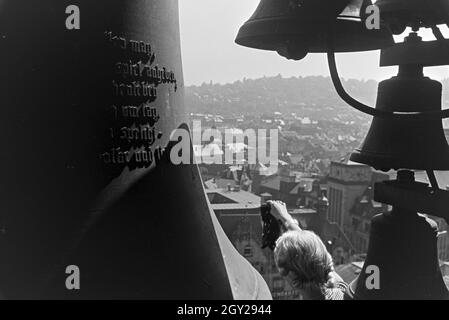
column 76, row 189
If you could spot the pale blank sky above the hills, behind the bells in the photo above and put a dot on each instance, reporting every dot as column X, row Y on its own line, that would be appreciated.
column 208, row 30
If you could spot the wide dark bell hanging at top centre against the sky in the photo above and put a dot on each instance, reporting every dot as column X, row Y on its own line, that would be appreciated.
column 294, row 28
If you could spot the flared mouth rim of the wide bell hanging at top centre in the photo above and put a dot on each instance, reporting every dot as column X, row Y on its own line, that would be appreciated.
column 272, row 33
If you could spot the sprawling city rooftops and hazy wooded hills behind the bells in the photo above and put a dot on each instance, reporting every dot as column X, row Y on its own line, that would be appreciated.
column 323, row 190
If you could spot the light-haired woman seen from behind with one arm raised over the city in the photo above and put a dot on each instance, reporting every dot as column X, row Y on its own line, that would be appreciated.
column 302, row 258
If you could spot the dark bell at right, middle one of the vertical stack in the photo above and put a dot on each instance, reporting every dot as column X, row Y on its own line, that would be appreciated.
column 404, row 144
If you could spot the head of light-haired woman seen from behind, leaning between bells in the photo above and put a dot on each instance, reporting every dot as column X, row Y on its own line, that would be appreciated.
column 303, row 257
